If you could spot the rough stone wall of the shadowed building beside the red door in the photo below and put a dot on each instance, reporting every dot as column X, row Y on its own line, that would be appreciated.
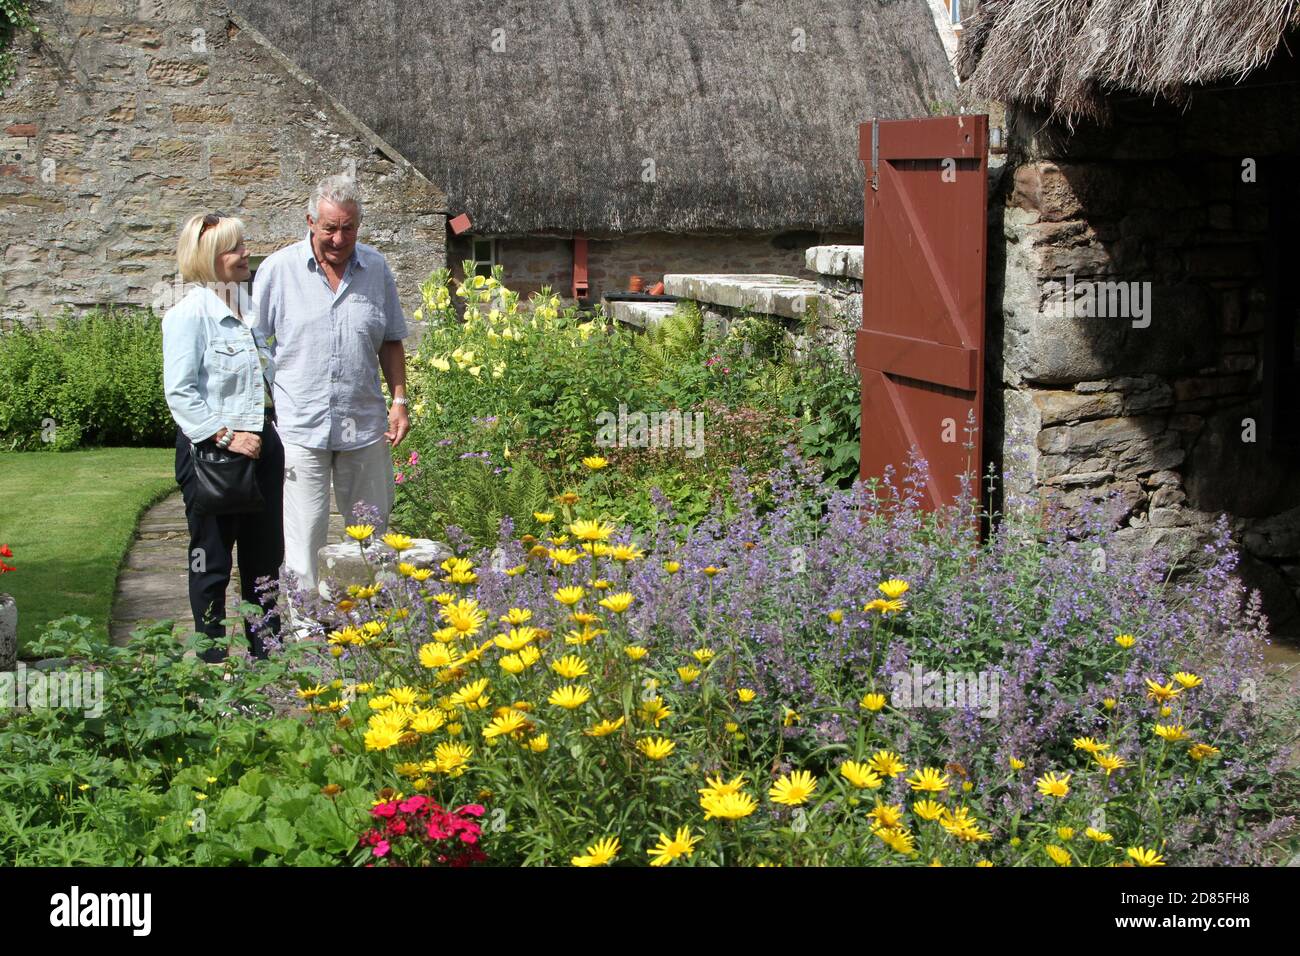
column 1165, row 417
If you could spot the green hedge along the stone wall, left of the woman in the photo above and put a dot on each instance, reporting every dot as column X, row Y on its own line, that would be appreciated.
column 90, row 380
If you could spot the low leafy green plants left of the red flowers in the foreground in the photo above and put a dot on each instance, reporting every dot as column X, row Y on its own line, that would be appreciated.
column 188, row 764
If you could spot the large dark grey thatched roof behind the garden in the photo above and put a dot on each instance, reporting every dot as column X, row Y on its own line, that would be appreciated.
column 556, row 133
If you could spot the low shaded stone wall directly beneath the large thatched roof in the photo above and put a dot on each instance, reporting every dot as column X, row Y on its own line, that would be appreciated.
column 538, row 261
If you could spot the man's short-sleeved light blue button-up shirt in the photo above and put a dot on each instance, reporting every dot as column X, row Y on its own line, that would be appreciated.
column 327, row 345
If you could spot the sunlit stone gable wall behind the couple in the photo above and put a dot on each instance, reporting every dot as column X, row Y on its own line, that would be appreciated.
column 132, row 115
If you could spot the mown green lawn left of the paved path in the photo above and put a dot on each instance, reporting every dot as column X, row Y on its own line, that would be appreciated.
column 70, row 518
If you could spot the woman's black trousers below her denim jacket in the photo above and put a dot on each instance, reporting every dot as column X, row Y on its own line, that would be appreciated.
column 258, row 538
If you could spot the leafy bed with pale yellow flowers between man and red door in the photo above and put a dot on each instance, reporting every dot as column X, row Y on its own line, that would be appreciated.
column 540, row 384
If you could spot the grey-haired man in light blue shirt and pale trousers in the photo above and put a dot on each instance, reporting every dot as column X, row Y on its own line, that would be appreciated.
column 330, row 306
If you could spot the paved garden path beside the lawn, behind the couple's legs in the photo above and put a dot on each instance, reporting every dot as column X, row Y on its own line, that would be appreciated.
column 153, row 582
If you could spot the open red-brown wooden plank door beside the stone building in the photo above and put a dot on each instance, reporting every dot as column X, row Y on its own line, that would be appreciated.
column 921, row 348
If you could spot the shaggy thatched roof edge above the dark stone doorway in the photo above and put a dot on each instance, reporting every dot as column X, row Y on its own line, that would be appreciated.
column 1064, row 57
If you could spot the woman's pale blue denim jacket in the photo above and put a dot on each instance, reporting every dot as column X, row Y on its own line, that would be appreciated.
column 211, row 373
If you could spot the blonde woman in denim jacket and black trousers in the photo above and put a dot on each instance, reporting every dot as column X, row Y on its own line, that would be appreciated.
column 218, row 375
